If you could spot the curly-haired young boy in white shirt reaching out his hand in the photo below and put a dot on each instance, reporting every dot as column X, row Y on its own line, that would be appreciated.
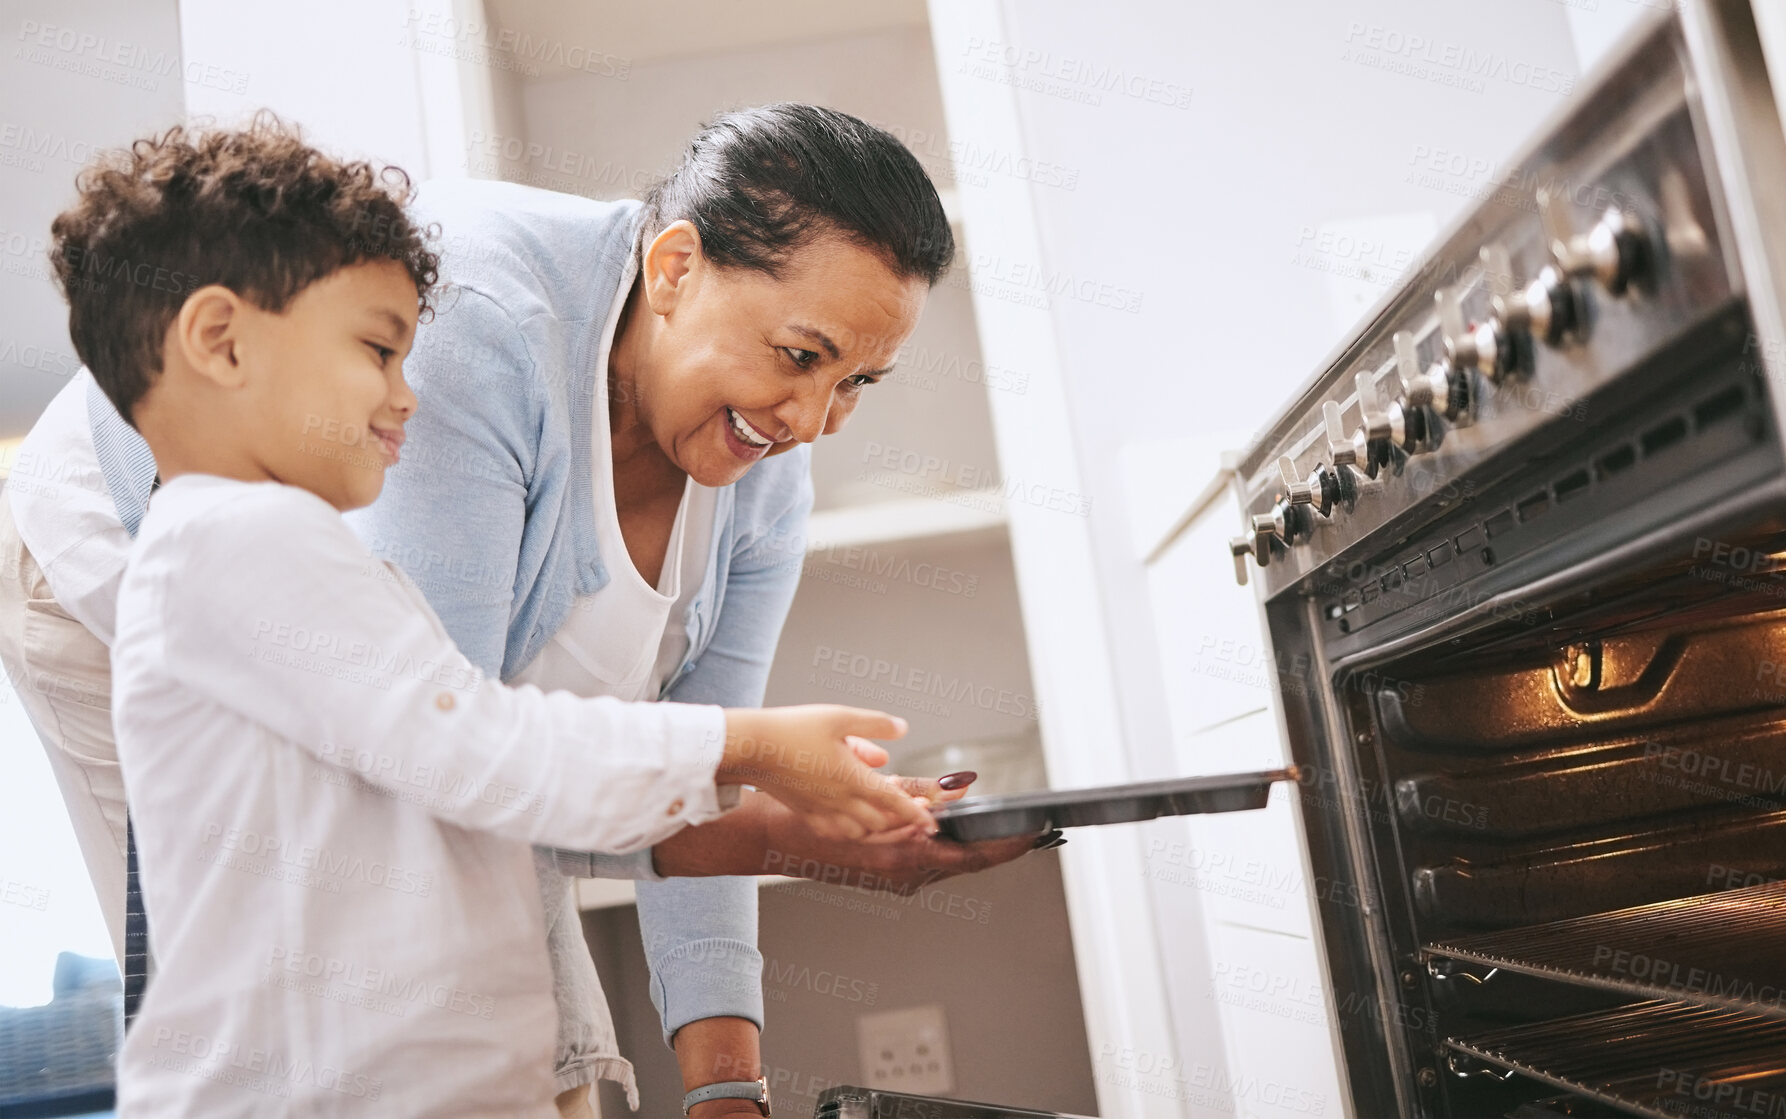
column 333, row 808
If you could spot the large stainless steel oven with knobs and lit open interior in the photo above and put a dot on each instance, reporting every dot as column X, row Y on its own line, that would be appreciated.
column 1528, row 526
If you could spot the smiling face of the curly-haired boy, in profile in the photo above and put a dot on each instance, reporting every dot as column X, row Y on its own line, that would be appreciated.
column 326, row 399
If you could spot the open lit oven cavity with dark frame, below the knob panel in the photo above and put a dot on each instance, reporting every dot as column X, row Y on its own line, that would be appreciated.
column 1610, row 733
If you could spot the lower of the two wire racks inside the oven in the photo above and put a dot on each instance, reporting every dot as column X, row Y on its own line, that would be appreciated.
column 1657, row 1059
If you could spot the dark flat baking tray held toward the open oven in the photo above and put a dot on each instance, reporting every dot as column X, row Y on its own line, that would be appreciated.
column 1031, row 813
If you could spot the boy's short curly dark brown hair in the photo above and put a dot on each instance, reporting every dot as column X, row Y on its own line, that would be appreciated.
column 255, row 210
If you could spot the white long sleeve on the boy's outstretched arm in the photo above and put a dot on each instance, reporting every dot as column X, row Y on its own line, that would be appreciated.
column 272, row 609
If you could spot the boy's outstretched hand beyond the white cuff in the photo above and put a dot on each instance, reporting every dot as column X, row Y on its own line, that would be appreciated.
column 805, row 758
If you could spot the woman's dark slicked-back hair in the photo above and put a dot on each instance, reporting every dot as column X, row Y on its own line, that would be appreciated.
column 762, row 185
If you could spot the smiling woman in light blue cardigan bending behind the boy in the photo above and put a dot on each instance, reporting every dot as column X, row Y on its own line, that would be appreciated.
column 605, row 492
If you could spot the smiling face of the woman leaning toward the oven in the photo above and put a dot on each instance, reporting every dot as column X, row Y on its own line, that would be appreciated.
column 726, row 365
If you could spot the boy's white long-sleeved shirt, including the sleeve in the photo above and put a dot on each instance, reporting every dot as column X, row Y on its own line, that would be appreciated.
column 335, row 813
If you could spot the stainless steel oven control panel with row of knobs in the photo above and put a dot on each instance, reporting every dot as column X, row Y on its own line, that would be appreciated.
column 1526, row 320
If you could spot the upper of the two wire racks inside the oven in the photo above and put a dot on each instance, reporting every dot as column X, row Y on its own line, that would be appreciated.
column 1715, row 950
